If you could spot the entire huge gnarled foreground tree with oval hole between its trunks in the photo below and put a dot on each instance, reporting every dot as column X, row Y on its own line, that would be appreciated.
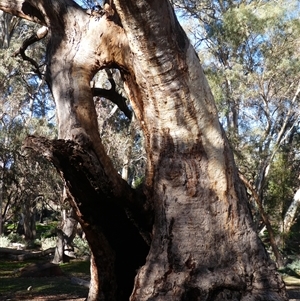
column 203, row 245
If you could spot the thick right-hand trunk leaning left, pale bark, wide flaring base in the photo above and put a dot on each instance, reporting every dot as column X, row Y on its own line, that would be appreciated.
column 204, row 246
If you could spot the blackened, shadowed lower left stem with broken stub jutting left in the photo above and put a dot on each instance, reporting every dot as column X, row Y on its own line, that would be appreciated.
column 116, row 244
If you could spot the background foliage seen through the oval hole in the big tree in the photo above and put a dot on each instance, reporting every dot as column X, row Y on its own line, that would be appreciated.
column 120, row 134
